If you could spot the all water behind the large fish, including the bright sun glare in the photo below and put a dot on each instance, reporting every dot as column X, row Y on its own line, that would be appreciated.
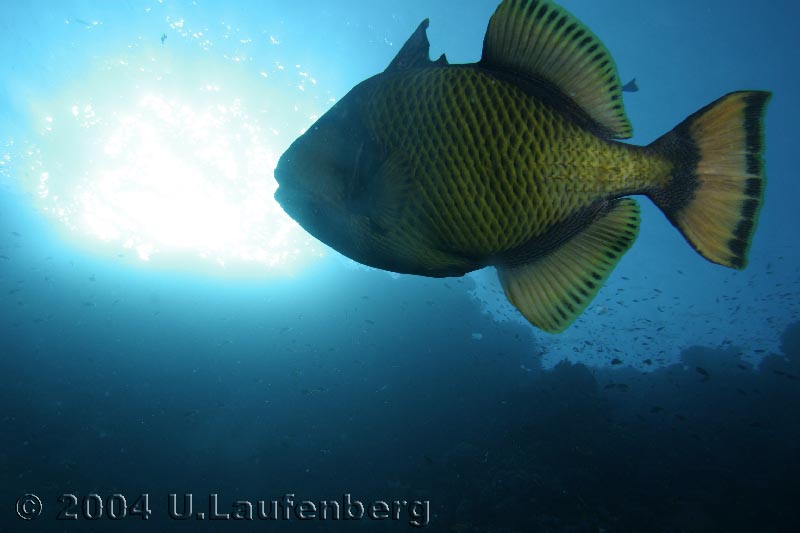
column 164, row 329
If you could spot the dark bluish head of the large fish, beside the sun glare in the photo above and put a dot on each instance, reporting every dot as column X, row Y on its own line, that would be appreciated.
column 323, row 176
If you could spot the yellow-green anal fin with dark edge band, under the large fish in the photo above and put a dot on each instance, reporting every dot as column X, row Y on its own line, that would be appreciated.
column 552, row 290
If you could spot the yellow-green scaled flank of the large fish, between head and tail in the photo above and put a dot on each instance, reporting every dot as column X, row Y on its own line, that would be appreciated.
column 534, row 170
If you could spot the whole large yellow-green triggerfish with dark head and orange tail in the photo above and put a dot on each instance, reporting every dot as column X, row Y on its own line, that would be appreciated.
column 438, row 170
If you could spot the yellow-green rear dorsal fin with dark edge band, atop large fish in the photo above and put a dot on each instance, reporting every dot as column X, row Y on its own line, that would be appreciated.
column 540, row 40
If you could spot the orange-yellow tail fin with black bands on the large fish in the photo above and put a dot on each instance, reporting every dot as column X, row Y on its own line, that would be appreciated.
column 717, row 185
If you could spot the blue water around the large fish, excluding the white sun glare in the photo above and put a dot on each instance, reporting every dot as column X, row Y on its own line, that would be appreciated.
column 115, row 377
